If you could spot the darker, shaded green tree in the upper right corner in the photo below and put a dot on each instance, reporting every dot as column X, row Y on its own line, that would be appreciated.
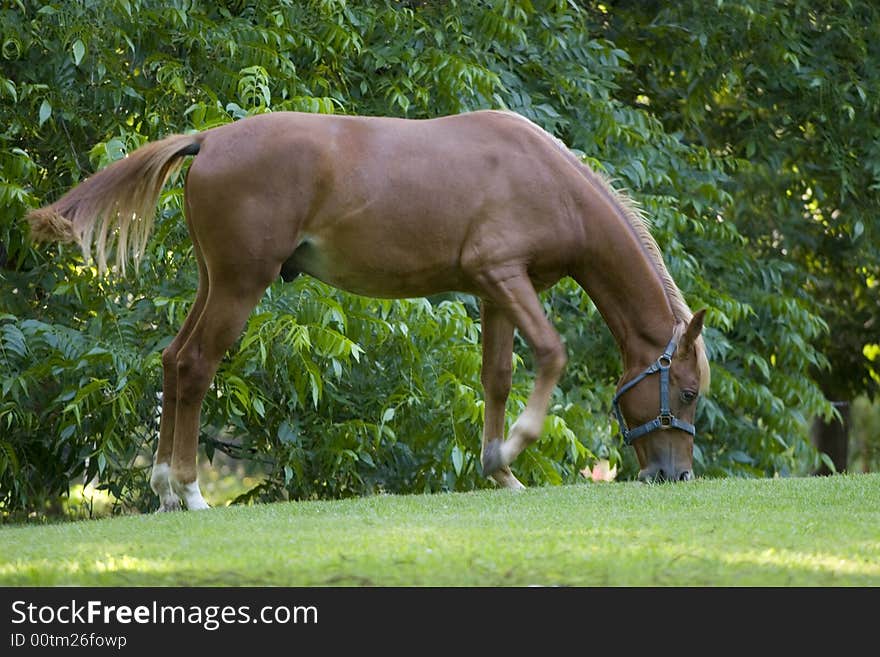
column 791, row 92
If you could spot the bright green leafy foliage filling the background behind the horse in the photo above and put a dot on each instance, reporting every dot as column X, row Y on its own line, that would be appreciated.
column 334, row 394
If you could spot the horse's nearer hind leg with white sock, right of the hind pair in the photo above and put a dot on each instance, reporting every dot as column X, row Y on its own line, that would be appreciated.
column 232, row 295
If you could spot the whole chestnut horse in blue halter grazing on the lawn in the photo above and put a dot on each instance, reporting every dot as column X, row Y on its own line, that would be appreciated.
column 485, row 203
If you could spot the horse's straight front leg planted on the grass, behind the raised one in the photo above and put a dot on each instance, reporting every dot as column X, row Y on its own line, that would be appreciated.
column 496, row 375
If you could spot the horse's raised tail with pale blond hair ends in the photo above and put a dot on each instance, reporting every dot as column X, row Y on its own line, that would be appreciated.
column 124, row 193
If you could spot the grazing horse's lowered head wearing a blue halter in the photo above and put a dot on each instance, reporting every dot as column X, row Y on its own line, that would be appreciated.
column 655, row 406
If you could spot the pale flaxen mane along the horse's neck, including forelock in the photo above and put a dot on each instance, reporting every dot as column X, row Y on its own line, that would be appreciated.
column 632, row 212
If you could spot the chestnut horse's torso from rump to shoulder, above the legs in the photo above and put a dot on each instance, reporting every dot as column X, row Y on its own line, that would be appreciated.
column 386, row 206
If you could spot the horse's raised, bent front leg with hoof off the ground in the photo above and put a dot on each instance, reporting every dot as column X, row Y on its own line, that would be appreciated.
column 513, row 291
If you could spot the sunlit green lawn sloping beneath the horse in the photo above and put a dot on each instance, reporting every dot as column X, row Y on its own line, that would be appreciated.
column 731, row 532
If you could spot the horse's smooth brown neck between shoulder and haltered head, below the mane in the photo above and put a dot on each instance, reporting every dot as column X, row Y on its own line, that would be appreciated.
column 624, row 284
